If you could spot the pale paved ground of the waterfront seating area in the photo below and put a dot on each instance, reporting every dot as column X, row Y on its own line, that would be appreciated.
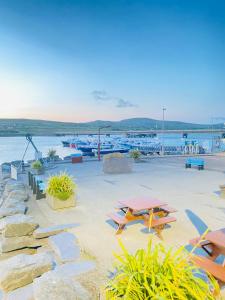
column 194, row 193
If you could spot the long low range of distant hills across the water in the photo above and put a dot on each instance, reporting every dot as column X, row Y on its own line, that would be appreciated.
column 20, row 127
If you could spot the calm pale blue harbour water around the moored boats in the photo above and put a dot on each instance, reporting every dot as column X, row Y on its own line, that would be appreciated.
column 12, row 148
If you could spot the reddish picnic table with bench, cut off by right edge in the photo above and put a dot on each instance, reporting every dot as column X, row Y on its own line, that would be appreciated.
column 214, row 245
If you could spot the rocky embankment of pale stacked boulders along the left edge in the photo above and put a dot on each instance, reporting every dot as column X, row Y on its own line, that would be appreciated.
column 36, row 263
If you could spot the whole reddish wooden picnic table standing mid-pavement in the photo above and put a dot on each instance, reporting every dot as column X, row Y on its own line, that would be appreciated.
column 153, row 212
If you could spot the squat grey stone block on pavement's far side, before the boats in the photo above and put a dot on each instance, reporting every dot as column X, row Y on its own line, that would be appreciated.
column 117, row 165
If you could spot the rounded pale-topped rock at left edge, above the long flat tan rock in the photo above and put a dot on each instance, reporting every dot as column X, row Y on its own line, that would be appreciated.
column 18, row 225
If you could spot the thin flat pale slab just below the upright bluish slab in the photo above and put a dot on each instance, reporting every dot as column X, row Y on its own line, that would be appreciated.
column 74, row 269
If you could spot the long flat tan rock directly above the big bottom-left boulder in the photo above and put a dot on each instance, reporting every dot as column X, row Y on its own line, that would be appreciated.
column 14, row 243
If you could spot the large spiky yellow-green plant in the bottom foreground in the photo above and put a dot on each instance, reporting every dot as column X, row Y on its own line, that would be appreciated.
column 158, row 273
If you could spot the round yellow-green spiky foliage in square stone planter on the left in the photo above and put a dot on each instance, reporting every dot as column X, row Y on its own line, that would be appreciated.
column 61, row 186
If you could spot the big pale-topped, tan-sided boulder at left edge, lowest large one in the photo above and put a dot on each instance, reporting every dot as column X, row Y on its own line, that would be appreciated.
column 22, row 269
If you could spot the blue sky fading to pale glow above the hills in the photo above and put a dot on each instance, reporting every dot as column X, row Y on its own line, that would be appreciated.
column 80, row 60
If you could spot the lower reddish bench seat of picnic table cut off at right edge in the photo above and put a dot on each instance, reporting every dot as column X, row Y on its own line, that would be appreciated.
column 218, row 271
